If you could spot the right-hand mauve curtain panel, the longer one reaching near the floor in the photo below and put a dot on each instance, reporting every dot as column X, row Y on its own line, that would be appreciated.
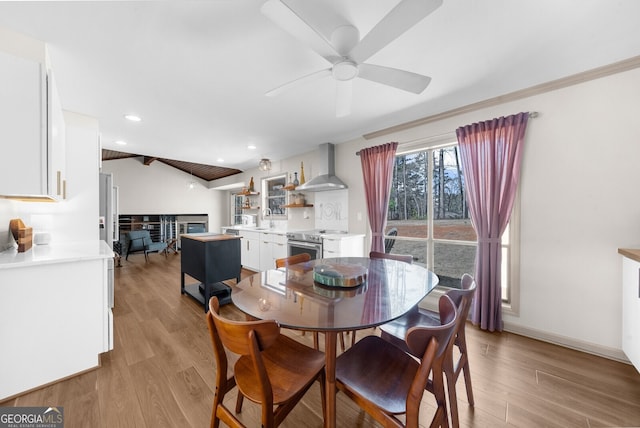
column 491, row 154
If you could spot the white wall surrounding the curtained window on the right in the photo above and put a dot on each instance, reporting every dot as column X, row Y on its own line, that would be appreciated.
column 579, row 204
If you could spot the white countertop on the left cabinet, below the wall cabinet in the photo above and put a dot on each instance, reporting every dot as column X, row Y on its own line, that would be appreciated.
column 55, row 253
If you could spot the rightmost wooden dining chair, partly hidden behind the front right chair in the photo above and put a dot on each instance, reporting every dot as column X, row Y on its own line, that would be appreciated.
column 395, row 331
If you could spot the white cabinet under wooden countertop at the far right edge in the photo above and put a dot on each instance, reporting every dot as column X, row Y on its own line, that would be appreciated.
column 631, row 310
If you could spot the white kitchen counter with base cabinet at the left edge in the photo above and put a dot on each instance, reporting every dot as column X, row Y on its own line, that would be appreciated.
column 55, row 313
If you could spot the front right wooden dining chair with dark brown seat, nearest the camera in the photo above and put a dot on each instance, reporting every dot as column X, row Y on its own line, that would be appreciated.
column 385, row 381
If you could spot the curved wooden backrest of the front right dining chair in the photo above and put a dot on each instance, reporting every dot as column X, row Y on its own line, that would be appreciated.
column 419, row 337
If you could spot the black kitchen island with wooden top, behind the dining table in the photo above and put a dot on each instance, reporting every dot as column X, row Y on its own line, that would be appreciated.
column 209, row 258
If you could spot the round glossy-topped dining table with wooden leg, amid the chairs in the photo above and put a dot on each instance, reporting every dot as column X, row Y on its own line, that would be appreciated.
column 383, row 291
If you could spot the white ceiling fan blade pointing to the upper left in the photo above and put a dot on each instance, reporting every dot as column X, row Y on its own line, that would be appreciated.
column 303, row 24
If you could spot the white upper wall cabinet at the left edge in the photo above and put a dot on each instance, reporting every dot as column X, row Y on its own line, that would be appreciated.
column 33, row 131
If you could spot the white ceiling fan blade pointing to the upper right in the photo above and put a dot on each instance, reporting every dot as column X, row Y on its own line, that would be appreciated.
column 402, row 17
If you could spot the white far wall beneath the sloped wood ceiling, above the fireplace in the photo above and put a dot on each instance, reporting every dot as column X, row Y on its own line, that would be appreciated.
column 162, row 189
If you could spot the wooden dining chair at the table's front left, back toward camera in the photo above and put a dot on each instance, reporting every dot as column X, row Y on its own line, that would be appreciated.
column 272, row 369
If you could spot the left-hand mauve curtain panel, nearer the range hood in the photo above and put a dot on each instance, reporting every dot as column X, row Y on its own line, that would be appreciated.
column 377, row 173
